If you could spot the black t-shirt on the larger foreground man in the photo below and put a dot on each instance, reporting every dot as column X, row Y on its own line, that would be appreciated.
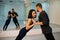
column 43, row 17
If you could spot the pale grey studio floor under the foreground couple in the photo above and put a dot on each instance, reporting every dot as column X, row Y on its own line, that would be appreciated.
column 33, row 37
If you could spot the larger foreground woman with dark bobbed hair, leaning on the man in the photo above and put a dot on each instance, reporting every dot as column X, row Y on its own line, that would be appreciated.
column 29, row 25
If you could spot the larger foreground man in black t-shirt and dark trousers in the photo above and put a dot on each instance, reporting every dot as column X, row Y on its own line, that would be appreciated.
column 44, row 23
